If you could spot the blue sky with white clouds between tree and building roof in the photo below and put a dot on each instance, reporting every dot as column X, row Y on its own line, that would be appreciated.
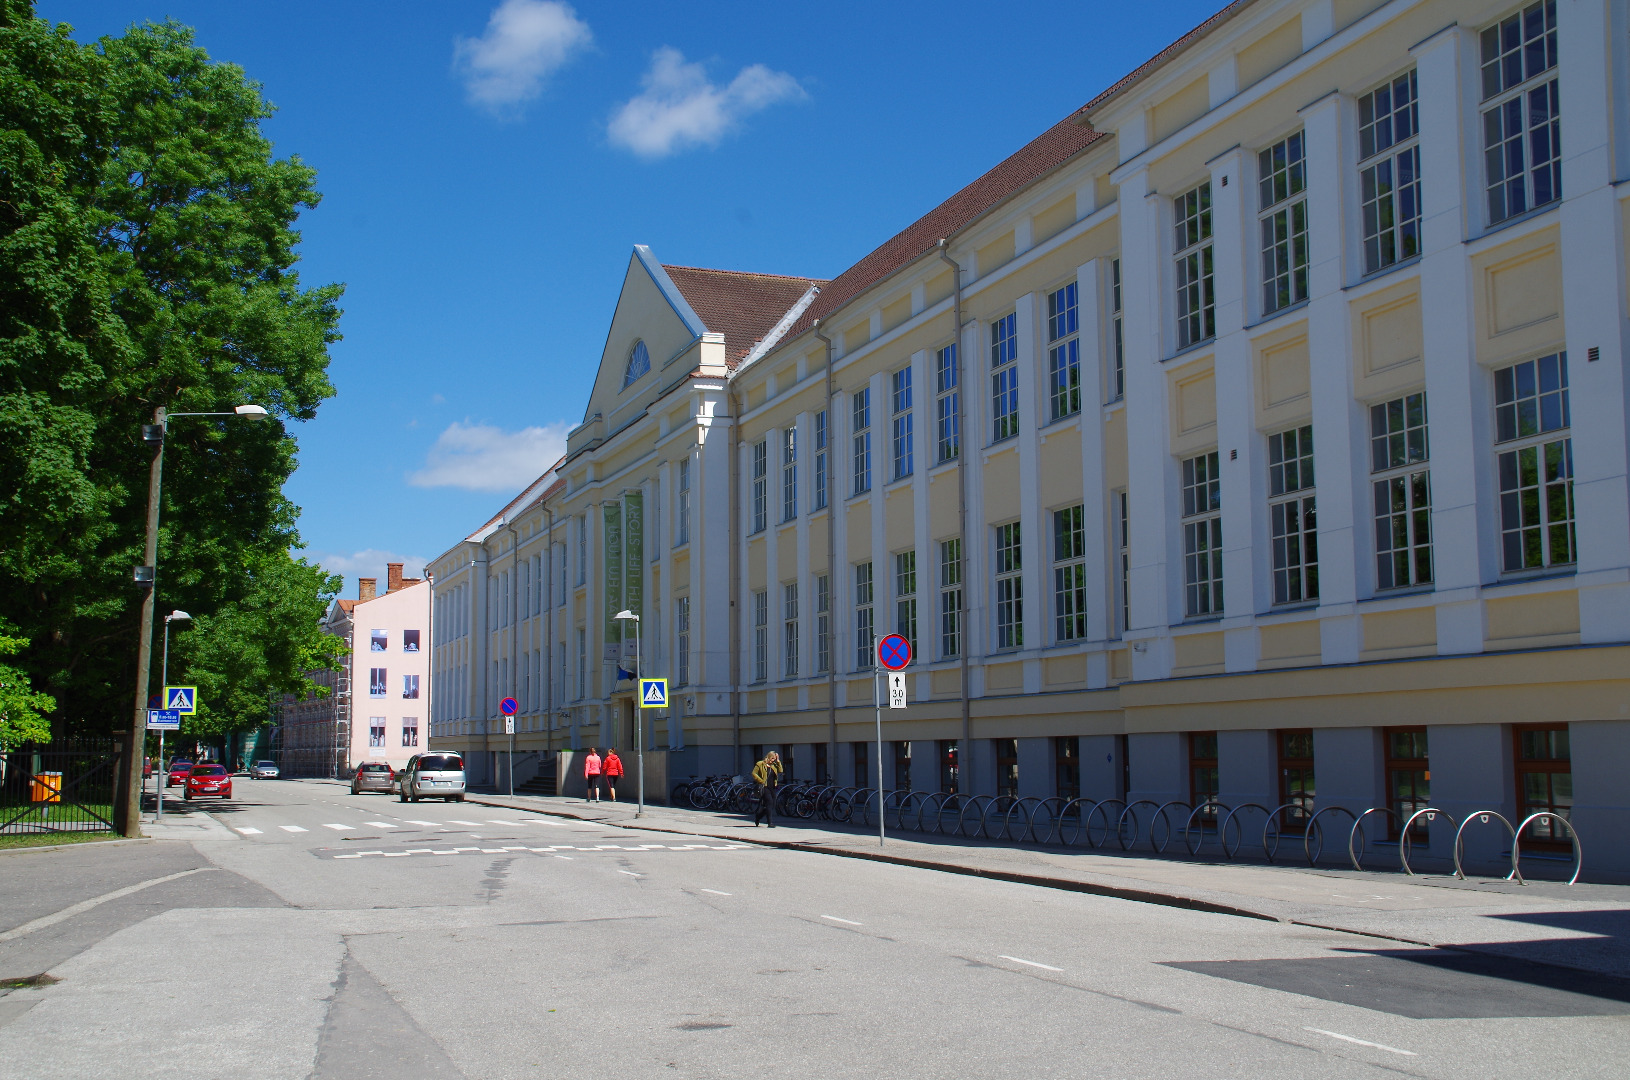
column 488, row 165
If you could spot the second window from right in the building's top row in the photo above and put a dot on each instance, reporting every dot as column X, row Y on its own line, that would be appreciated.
column 1390, row 173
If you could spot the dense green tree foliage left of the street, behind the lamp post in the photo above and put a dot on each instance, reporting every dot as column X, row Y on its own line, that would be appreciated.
column 148, row 258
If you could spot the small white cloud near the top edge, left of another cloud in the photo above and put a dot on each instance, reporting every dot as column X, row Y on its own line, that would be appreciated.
column 526, row 43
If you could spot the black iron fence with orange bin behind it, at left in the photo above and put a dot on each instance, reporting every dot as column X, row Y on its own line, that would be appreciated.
column 59, row 788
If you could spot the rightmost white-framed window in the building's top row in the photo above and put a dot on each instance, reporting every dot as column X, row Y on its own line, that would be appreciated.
column 1522, row 113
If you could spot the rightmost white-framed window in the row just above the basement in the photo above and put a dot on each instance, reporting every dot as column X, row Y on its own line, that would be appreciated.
column 1535, row 465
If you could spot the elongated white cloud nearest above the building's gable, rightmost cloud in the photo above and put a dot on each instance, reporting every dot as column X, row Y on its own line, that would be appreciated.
column 681, row 108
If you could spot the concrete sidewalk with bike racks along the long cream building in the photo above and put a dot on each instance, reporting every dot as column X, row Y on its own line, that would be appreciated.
column 1584, row 926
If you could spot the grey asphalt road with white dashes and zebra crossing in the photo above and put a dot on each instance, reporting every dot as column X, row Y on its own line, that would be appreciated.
column 306, row 933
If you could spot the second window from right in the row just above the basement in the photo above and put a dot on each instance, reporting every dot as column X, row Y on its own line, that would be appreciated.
column 1403, row 491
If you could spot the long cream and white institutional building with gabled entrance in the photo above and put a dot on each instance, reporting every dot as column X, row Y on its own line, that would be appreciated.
column 1218, row 442
